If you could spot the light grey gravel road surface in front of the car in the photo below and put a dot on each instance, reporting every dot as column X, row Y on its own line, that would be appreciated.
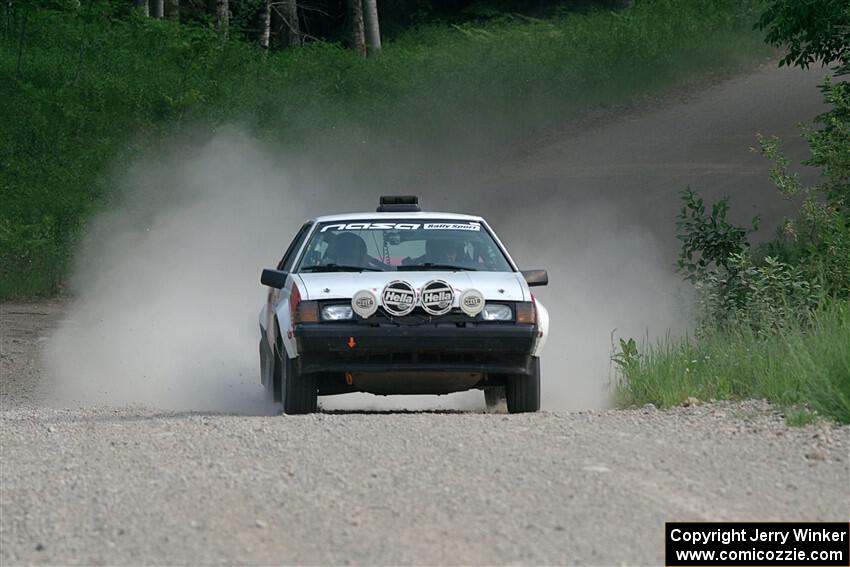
column 135, row 485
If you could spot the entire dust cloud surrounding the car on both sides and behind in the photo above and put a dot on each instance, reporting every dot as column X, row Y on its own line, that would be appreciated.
column 166, row 291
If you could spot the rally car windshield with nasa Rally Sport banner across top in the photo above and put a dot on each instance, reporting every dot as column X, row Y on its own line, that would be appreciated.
column 402, row 245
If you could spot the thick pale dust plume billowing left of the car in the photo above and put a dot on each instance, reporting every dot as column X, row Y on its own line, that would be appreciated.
column 166, row 285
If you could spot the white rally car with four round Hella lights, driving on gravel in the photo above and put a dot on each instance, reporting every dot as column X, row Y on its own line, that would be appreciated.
column 400, row 302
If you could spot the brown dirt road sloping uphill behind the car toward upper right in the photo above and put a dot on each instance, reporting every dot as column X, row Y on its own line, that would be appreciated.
column 633, row 160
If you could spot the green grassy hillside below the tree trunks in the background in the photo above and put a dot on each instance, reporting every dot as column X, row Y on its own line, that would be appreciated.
column 84, row 91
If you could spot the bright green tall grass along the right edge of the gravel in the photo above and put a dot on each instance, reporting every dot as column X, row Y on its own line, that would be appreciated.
column 803, row 364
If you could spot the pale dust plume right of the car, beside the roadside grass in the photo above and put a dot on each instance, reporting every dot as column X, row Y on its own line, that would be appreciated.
column 609, row 278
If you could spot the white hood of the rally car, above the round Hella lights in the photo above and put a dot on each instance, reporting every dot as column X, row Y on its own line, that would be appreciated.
column 506, row 286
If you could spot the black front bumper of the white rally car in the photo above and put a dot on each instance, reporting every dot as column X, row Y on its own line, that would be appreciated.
column 487, row 348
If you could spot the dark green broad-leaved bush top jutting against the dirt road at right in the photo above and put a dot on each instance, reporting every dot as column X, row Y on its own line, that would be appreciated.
column 709, row 240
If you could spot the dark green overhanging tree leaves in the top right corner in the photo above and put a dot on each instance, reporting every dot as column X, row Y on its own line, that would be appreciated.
column 811, row 30
